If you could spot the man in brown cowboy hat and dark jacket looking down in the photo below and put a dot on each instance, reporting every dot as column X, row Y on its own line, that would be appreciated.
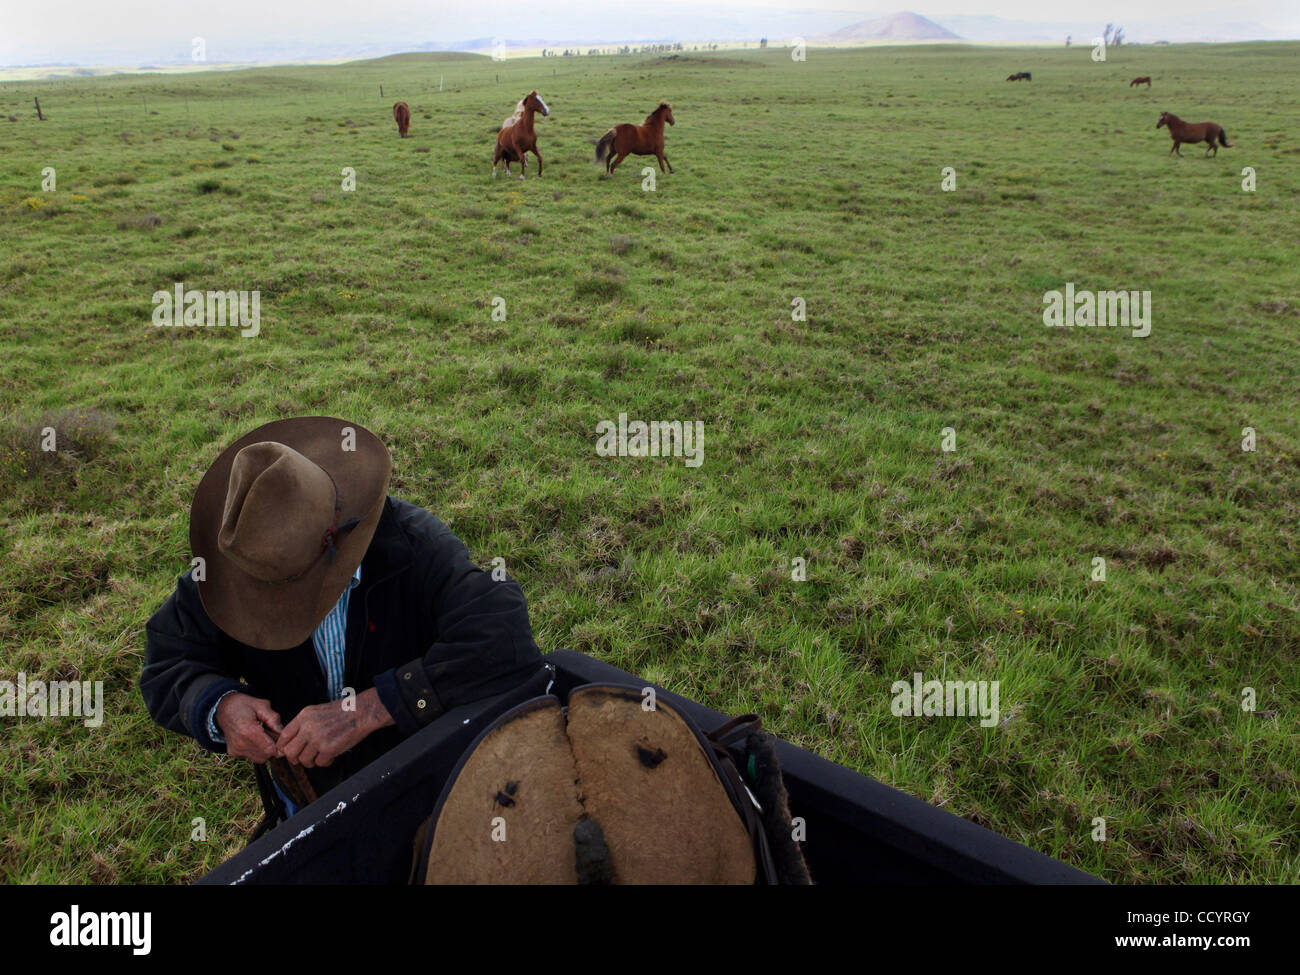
column 323, row 621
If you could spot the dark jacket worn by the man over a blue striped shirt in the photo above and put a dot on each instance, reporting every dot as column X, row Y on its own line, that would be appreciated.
column 426, row 627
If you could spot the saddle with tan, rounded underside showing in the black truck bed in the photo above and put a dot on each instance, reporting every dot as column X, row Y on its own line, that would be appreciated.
column 614, row 788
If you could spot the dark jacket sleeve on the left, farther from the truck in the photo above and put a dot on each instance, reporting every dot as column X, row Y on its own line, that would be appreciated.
column 188, row 666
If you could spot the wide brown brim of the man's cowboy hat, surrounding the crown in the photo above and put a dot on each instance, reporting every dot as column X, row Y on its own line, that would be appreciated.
column 283, row 616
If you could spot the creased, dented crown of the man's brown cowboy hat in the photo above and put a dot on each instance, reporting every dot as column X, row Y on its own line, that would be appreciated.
column 280, row 506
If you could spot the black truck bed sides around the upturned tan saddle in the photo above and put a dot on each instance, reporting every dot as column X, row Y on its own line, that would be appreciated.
column 859, row 830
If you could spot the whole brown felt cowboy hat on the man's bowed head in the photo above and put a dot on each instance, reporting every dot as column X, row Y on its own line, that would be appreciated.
column 281, row 522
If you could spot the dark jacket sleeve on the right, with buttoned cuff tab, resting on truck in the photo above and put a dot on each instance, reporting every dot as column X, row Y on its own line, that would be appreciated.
column 486, row 644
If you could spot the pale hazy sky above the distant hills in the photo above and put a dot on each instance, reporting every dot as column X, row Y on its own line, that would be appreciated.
column 77, row 31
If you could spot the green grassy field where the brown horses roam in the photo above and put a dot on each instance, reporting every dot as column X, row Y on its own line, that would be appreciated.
column 818, row 180
